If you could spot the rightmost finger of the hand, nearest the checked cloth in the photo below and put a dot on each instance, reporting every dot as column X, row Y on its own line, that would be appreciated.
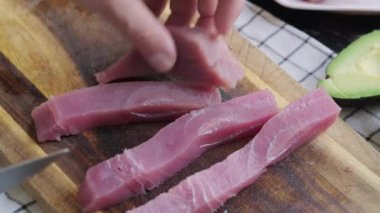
column 226, row 13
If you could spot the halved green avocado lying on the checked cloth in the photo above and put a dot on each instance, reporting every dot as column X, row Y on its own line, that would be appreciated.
column 353, row 76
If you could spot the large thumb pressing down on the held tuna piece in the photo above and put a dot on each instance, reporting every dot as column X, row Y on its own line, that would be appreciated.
column 151, row 39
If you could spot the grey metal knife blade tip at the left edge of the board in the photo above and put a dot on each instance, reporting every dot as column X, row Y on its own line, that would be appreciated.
column 13, row 175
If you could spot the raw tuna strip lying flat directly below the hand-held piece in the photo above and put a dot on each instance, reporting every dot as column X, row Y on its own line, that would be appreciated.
column 117, row 103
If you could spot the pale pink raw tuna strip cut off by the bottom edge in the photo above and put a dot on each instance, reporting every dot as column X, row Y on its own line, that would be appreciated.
column 207, row 190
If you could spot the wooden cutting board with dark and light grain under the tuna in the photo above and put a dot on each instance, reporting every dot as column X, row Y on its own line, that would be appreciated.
column 54, row 47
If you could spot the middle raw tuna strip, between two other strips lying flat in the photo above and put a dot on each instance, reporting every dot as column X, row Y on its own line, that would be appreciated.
column 173, row 148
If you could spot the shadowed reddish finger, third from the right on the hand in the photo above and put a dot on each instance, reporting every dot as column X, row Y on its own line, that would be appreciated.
column 182, row 12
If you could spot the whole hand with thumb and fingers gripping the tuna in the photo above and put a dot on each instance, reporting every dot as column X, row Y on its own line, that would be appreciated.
column 138, row 20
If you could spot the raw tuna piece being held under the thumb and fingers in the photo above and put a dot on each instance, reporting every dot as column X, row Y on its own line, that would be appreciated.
column 203, row 60
